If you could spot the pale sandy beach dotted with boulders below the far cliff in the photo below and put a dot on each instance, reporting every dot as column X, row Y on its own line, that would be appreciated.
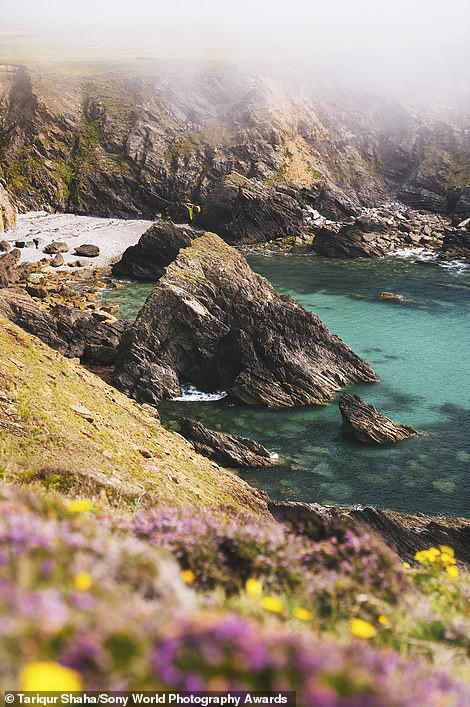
column 112, row 236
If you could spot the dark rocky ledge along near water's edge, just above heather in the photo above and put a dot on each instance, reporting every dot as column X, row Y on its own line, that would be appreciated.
column 404, row 534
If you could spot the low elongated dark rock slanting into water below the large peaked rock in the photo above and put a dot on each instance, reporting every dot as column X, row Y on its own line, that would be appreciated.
column 227, row 450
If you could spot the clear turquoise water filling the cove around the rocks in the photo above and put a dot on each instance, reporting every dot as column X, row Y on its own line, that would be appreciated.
column 421, row 351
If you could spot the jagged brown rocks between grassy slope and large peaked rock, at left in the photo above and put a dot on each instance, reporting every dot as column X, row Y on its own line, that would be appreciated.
column 72, row 332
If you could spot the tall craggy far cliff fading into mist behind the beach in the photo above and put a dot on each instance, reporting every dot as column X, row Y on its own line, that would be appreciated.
column 151, row 137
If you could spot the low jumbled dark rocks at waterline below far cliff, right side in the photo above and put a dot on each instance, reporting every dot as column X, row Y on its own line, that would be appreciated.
column 377, row 232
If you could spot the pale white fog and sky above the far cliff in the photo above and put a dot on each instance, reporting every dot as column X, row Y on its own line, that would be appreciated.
column 406, row 46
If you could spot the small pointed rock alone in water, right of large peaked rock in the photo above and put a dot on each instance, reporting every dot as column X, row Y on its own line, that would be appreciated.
column 366, row 424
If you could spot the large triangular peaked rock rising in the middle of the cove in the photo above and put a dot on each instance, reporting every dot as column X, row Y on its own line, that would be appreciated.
column 215, row 323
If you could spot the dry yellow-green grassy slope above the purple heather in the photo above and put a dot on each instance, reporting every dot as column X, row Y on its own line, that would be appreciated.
column 65, row 427
